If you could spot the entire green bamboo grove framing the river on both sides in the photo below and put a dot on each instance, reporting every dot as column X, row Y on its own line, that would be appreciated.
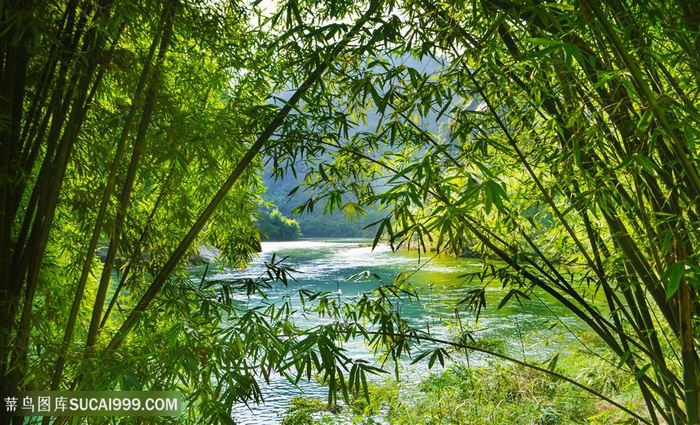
column 555, row 140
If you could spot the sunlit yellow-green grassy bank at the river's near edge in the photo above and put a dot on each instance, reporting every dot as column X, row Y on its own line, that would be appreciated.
column 498, row 394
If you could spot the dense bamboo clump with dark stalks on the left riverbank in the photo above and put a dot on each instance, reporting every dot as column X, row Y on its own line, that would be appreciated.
column 137, row 125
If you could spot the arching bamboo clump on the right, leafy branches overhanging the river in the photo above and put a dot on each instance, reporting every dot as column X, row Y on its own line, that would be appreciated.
column 570, row 139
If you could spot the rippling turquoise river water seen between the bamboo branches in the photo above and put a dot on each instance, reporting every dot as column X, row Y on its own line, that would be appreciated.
column 525, row 332
